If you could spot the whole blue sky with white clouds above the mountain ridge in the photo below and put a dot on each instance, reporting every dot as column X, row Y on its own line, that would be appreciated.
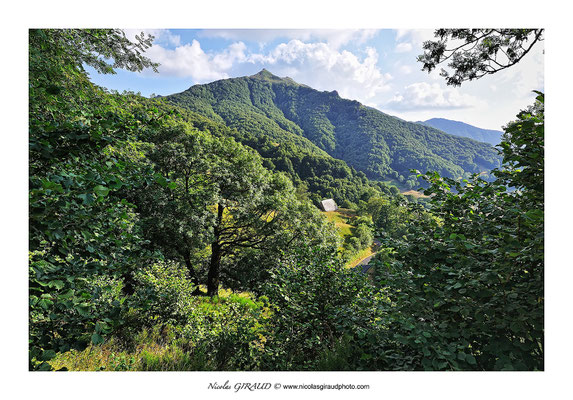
column 376, row 67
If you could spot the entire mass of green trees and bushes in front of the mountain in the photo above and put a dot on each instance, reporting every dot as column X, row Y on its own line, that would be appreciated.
column 160, row 242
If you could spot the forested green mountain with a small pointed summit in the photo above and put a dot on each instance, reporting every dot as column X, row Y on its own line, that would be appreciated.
column 265, row 108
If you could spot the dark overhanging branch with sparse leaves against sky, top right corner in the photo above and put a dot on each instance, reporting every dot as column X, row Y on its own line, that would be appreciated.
column 476, row 53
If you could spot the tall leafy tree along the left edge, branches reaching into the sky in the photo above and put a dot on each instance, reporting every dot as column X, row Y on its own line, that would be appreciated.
column 83, row 238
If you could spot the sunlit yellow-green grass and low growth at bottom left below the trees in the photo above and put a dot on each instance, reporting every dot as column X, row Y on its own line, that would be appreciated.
column 217, row 328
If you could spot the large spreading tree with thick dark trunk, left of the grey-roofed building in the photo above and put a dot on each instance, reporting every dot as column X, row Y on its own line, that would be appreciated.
column 216, row 193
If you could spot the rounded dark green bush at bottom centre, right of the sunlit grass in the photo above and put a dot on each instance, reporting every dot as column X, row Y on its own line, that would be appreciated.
column 325, row 316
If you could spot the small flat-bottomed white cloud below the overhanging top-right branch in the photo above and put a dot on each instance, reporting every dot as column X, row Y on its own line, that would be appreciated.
column 426, row 96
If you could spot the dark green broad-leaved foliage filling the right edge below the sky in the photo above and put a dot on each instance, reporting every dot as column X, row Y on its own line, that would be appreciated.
column 467, row 288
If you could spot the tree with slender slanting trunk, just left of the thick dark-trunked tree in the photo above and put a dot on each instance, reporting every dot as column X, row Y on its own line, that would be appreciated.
column 174, row 205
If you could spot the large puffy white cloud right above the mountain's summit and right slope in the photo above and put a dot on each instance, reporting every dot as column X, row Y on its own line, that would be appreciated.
column 325, row 68
